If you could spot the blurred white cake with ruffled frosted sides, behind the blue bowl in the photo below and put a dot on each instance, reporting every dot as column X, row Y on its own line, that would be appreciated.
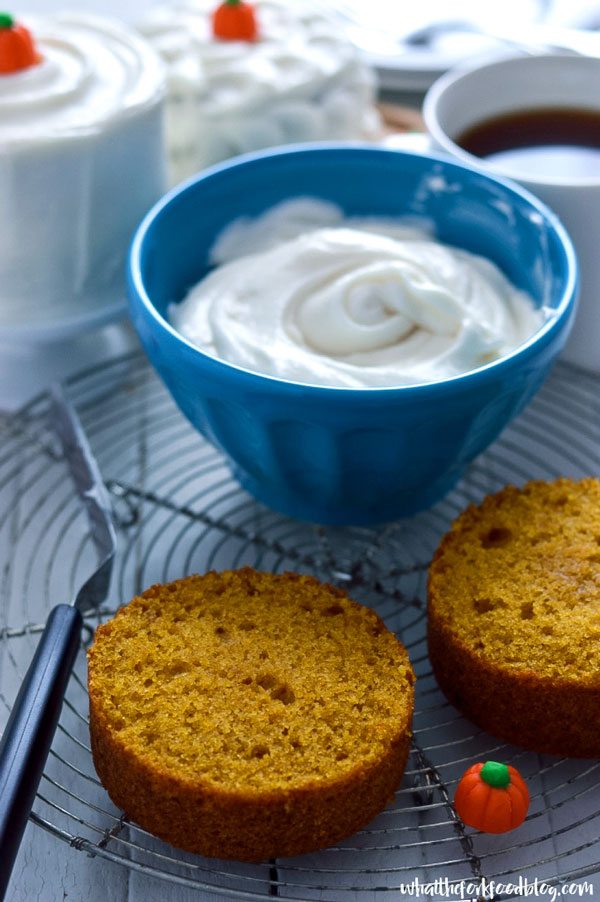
column 300, row 79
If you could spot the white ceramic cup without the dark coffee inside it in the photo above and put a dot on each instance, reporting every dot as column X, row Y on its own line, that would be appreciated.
column 464, row 97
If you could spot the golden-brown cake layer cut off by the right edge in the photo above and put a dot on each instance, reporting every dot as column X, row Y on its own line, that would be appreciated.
column 514, row 616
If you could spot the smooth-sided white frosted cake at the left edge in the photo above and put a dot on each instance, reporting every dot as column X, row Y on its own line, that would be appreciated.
column 81, row 160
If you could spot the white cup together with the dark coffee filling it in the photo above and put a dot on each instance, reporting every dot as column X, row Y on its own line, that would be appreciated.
column 543, row 110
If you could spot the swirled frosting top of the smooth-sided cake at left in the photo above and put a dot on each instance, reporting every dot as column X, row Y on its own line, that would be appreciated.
column 92, row 71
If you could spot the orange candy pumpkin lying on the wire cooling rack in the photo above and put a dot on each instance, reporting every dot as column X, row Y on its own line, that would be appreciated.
column 492, row 797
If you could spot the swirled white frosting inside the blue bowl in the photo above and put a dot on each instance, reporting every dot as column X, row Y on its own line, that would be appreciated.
column 364, row 303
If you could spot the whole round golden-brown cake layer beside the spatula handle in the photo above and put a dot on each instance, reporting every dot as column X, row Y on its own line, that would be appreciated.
column 253, row 756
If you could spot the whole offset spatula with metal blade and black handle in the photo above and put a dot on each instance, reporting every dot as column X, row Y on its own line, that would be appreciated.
column 28, row 735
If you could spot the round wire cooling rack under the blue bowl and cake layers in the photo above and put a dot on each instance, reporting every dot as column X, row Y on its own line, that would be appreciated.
column 179, row 511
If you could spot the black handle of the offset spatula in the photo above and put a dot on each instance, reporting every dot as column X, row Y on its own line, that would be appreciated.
column 28, row 735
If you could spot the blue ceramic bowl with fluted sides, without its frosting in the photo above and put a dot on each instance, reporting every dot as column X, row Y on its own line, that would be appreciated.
column 341, row 455
